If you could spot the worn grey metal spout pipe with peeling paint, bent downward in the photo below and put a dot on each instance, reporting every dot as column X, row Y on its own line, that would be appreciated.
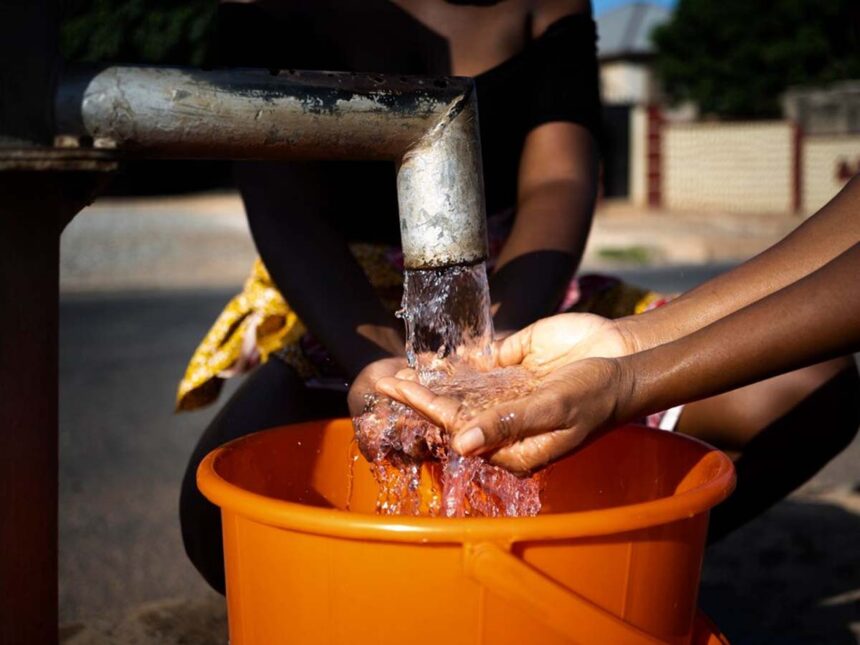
column 428, row 126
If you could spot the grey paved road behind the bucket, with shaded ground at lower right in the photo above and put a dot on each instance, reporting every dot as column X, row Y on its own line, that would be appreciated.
column 123, row 452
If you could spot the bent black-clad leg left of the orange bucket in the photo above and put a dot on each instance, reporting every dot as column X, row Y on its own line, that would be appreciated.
column 272, row 395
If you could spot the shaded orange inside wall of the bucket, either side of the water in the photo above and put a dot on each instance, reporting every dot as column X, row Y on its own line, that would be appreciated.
column 318, row 464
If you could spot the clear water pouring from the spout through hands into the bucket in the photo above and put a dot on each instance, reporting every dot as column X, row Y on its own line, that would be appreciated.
column 449, row 343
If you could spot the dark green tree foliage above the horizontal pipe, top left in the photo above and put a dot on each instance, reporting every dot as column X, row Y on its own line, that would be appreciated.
column 138, row 31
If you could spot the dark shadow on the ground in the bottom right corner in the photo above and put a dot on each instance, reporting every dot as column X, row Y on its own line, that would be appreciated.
column 790, row 576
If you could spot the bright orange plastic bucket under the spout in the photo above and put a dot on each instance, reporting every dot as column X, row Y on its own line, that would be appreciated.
column 614, row 557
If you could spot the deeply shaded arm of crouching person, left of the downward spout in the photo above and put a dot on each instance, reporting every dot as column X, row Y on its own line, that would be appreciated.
column 312, row 266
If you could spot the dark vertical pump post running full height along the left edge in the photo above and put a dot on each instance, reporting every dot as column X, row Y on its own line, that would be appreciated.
column 30, row 222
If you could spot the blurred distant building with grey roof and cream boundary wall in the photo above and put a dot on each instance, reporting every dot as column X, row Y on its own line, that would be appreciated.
column 664, row 157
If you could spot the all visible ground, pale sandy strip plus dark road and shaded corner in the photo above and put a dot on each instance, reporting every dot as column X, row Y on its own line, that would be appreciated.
column 142, row 279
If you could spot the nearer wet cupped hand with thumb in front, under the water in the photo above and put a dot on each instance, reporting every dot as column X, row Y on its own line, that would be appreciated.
column 569, row 404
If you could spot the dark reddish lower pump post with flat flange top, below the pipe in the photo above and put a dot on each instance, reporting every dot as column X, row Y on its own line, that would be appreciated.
column 40, row 191
